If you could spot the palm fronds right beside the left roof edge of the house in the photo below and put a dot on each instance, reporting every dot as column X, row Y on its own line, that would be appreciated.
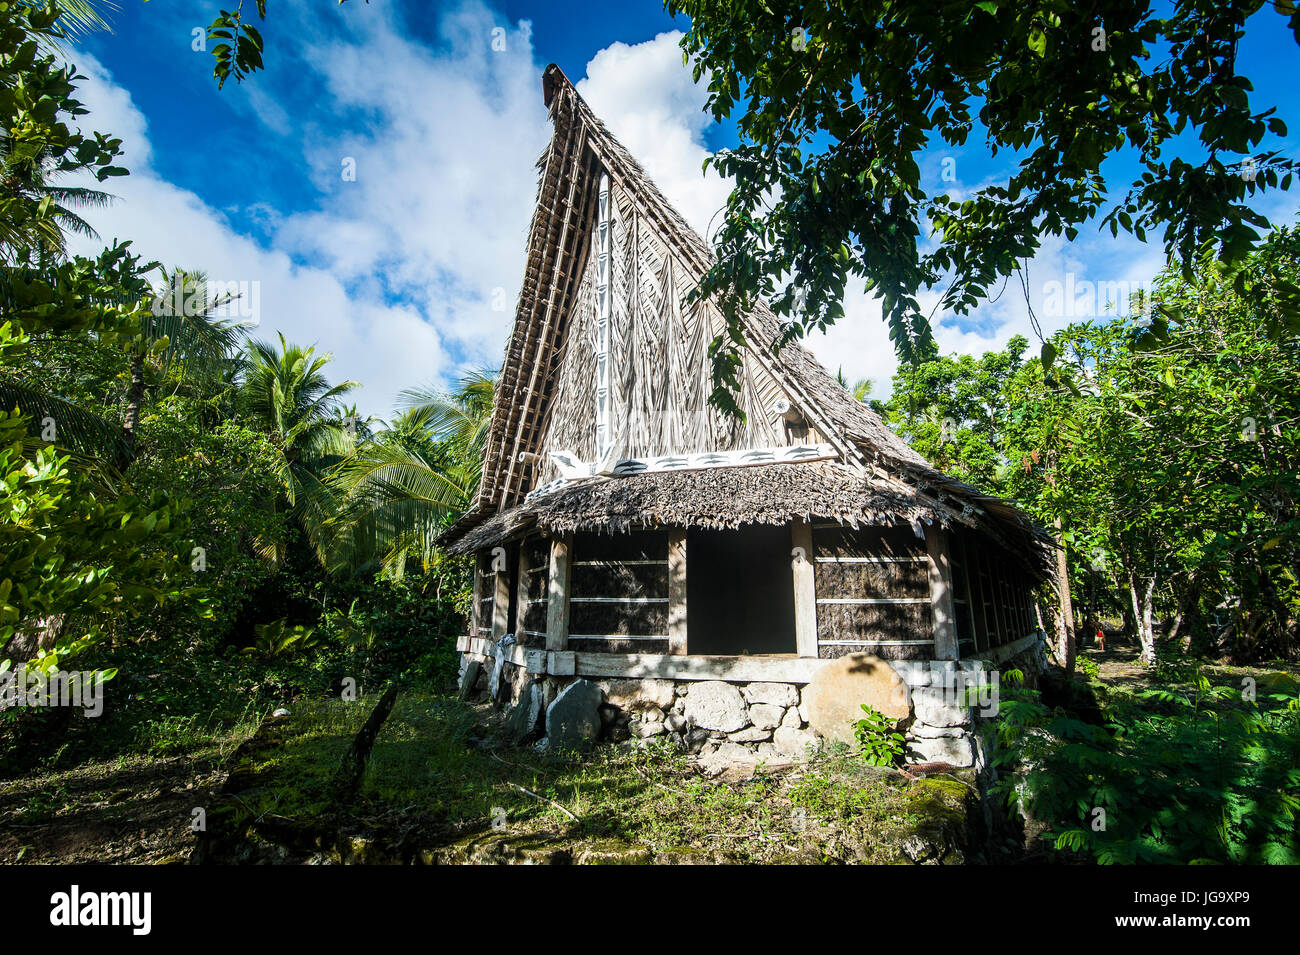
column 398, row 492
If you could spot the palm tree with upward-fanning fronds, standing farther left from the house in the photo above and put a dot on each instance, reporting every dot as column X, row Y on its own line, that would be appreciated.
column 287, row 394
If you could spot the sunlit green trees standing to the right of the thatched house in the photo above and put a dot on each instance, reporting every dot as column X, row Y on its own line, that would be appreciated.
column 1165, row 446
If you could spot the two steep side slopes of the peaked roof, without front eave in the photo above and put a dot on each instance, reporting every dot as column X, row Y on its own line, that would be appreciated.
column 580, row 151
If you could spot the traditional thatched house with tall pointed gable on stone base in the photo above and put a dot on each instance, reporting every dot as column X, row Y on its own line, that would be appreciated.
column 627, row 532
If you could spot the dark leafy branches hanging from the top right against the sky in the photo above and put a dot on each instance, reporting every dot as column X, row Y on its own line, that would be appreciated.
column 839, row 107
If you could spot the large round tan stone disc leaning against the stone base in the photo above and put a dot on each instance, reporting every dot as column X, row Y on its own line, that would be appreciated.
column 834, row 700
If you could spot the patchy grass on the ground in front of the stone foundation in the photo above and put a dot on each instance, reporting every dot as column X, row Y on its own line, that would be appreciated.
column 436, row 769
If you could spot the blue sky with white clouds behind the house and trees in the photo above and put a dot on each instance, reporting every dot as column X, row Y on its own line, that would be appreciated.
column 409, row 272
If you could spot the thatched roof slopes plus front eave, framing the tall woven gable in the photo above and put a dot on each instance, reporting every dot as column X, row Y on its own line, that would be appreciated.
column 881, row 481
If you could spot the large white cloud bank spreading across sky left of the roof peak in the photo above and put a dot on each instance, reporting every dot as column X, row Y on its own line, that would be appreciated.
column 393, row 274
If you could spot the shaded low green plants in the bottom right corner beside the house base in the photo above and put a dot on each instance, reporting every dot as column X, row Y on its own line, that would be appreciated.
column 1181, row 774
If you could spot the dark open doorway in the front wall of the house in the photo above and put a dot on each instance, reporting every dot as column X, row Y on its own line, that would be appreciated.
column 740, row 592
